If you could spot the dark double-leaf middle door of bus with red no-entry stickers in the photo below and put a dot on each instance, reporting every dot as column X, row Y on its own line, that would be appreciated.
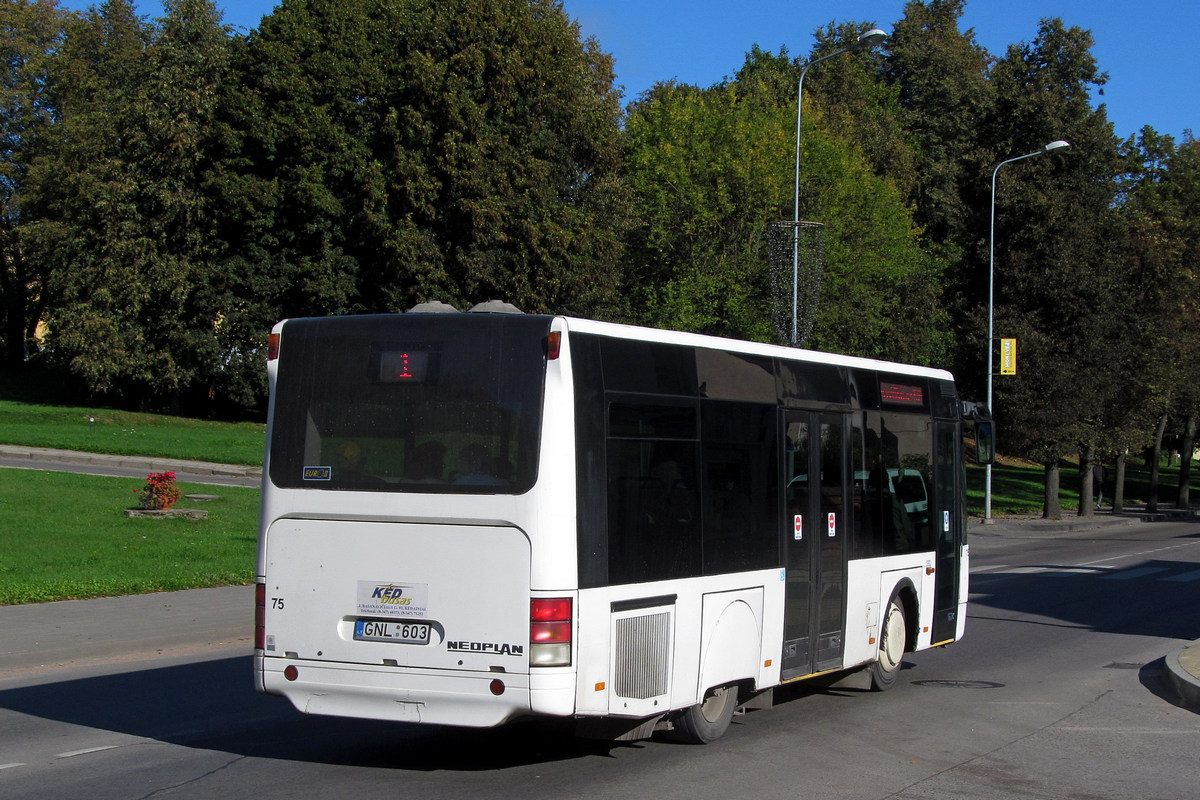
column 817, row 534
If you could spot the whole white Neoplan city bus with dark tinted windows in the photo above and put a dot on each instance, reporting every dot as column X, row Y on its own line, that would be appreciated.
column 475, row 518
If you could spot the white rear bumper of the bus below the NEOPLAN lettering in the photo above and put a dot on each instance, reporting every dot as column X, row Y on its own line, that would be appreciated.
column 407, row 695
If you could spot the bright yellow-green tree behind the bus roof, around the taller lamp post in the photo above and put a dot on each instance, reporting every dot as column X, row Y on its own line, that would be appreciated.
column 712, row 167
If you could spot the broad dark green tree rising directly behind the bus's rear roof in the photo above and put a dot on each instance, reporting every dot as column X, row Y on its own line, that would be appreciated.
column 405, row 151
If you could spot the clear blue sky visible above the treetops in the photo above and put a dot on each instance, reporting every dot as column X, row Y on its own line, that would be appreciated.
column 1154, row 64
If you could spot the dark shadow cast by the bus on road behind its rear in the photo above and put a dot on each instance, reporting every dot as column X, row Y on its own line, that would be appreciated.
column 213, row 706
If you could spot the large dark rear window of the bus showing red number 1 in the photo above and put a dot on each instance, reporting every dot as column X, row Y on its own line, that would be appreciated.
column 410, row 404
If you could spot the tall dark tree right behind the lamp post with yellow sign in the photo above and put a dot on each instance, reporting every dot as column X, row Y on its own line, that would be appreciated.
column 1063, row 287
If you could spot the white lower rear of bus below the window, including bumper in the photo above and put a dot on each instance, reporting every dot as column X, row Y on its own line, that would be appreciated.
column 323, row 575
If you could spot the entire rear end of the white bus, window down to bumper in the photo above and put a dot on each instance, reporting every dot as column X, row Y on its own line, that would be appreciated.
column 401, row 498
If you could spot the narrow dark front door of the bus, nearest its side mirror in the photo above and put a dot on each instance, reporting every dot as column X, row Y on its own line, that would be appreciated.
column 949, row 531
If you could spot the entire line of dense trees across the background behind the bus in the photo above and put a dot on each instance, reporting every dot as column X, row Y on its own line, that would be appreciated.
column 170, row 189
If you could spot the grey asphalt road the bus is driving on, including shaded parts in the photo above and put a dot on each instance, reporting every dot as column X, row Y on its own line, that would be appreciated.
column 1055, row 693
